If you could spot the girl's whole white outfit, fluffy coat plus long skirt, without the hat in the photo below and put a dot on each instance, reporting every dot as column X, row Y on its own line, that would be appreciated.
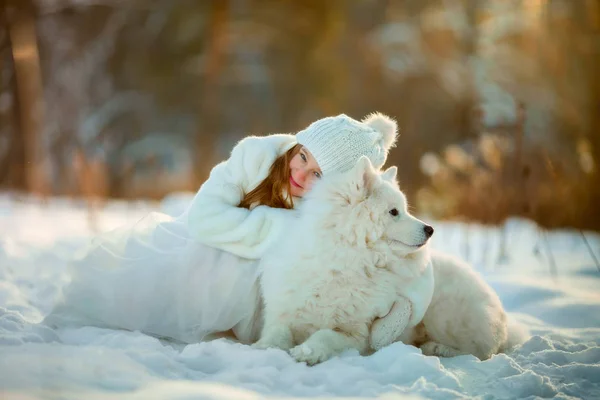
column 164, row 278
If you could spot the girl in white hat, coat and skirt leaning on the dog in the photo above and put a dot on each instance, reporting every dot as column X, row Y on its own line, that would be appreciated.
column 194, row 276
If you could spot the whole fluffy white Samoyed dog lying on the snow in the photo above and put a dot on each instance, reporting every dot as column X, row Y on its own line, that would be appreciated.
column 354, row 272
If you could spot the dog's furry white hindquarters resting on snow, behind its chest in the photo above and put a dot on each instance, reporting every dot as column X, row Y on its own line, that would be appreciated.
column 465, row 315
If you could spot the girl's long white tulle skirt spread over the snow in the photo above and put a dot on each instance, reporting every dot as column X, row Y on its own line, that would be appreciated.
column 154, row 278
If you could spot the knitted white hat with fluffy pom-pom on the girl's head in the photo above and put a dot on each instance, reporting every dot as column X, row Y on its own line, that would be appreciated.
column 338, row 142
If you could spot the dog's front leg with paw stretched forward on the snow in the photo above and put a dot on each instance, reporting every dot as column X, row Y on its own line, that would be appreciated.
column 326, row 343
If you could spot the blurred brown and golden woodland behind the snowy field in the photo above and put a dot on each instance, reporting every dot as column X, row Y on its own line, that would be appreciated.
column 498, row 101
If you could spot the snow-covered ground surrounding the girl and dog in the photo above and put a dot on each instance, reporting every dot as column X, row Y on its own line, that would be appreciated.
column 547, row 280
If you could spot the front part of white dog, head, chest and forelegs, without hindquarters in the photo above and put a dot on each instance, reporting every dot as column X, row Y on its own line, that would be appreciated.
column 353, row 252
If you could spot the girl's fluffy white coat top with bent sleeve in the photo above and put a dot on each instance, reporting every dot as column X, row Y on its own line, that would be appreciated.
column 214, row 217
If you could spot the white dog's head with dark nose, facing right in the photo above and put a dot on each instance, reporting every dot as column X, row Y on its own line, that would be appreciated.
column 366, row 206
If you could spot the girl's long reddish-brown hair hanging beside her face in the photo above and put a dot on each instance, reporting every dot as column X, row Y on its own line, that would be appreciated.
column 274, row 190
